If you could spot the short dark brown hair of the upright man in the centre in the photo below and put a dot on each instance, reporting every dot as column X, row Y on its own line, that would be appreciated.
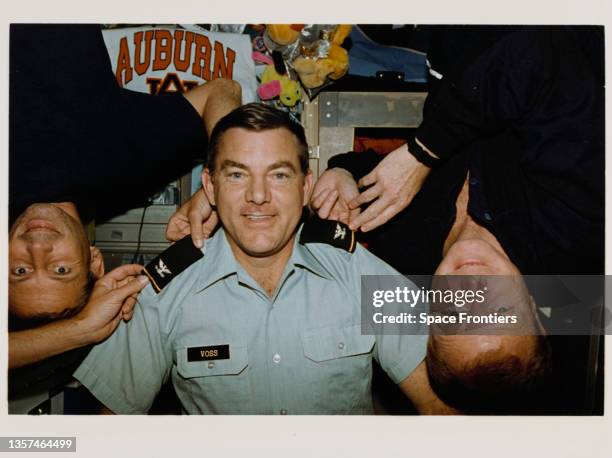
column 257, row 117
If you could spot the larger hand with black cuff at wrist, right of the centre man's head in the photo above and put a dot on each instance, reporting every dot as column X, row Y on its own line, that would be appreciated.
column 393, row 184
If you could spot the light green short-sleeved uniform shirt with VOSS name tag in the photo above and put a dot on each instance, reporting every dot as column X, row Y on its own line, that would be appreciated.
column 300, row 351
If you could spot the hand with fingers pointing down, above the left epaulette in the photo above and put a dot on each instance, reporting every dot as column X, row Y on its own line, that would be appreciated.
column 195, row 217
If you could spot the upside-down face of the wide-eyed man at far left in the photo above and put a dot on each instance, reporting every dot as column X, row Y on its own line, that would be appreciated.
column 49, row 262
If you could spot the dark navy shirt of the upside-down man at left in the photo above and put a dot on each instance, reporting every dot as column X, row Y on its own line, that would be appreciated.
column 75, row 135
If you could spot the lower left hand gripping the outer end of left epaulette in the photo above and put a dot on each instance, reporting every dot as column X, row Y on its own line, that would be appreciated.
column 113, row 299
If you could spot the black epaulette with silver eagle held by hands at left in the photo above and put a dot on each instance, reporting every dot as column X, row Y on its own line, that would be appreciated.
column 172, row 262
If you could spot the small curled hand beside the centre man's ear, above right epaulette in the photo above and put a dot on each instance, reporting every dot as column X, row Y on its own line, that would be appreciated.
column 334, row 189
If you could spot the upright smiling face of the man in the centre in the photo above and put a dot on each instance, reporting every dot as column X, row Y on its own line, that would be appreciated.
column 259, row 190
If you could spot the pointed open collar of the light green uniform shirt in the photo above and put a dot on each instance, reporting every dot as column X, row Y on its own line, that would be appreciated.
column 219, row 261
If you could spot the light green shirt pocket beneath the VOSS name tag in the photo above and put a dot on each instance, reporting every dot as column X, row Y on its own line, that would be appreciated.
column 219, row 386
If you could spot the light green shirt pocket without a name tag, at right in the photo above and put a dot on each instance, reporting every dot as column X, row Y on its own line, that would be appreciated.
column 339, row 368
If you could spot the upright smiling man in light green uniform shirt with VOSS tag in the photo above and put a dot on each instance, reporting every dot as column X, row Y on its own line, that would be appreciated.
column 265, row 320
